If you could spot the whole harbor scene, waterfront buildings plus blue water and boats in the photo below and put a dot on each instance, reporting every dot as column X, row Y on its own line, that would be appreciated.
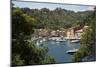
column 61, row 44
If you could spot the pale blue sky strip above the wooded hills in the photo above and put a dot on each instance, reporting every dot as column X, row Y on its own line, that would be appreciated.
column 52, row 6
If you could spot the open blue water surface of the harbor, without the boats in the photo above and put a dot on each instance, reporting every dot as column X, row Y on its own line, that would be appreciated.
column 57, row 49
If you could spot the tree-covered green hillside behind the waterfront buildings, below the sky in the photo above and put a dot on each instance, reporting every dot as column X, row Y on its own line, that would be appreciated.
column 56, row 19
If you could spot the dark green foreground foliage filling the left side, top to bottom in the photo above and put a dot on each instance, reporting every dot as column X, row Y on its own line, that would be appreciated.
column 25, row 52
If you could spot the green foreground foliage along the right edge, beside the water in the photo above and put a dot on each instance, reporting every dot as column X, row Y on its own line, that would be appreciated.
column 87, row 45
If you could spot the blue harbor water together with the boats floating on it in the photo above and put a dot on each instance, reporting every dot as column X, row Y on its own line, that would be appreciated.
column 59, row 48
